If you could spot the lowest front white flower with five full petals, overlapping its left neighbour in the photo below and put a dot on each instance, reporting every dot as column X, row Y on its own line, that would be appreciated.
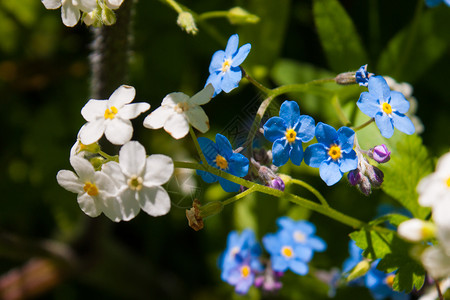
column 139, row 179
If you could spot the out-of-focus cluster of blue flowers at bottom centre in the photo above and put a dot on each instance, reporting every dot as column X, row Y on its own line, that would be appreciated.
column 291, row 248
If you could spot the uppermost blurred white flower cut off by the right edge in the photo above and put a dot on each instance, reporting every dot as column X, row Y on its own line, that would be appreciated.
column 435, row 187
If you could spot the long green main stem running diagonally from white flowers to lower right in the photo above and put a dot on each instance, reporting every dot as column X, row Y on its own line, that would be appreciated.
column 327, row 211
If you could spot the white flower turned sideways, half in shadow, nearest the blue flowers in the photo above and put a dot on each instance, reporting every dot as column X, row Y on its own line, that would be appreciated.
column 177, row 111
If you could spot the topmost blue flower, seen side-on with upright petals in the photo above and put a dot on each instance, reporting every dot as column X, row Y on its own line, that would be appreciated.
column 224, row 69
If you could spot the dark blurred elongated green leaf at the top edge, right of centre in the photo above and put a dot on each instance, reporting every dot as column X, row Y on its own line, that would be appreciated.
column 338, row 36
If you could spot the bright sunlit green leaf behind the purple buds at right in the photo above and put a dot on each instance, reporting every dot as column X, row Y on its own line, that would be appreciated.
column 409, row 163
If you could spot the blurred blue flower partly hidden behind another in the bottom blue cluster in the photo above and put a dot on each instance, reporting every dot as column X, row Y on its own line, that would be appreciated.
column 303, row 233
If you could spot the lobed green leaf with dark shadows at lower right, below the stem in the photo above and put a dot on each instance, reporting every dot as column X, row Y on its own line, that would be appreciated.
column 394, row 255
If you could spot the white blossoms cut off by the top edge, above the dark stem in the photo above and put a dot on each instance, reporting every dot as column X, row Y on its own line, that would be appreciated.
column 95, row 12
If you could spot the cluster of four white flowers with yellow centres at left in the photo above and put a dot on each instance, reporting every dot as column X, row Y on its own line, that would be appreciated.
column 121, row 187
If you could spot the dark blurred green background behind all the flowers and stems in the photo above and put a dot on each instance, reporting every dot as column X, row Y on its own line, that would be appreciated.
column 45, row 81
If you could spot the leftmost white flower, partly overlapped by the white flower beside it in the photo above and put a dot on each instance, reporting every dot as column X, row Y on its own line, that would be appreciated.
column 95, row 189
